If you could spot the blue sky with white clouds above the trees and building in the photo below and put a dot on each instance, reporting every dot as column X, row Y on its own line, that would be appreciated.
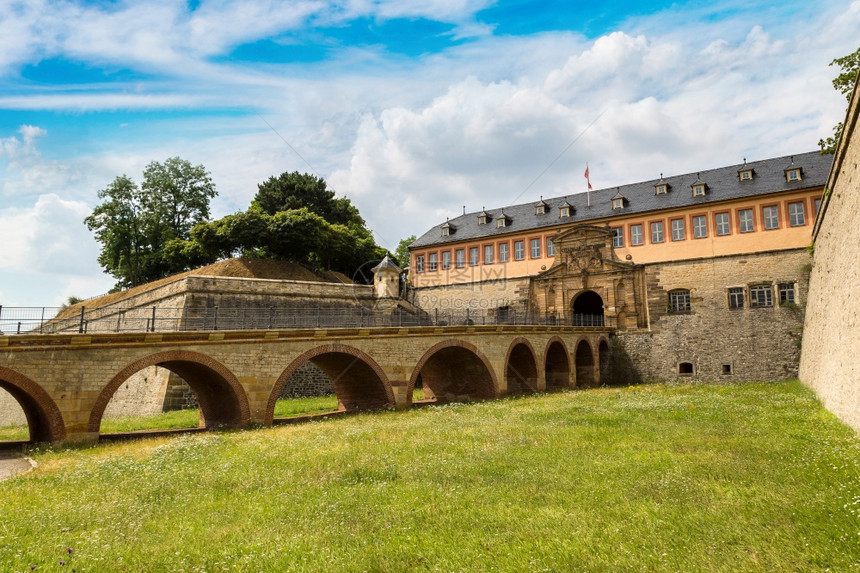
column 412, row 109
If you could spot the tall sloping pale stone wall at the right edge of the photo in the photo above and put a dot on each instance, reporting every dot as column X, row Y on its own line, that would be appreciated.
column 830, row 361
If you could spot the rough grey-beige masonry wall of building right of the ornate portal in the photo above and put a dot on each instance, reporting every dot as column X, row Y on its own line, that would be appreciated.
column 720, row 343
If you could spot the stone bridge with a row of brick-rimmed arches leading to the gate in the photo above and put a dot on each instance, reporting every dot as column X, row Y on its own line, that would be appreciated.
column 64, row 382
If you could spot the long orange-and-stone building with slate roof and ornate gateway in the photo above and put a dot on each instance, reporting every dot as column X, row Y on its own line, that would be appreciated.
column 703, row 275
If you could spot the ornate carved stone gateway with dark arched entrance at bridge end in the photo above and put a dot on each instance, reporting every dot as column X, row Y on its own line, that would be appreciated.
column 588, row 284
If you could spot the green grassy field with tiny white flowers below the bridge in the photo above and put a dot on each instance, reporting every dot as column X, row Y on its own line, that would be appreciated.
column 754, row 477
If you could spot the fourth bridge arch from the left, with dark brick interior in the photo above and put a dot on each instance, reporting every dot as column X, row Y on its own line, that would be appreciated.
column 454, row 370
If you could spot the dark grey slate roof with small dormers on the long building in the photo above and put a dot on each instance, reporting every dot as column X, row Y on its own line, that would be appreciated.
column 722, row 183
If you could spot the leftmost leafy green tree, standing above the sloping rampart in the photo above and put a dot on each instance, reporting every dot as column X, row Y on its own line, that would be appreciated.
column 141, row 227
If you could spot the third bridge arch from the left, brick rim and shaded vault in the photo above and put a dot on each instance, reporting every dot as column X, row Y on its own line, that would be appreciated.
column 349, row 369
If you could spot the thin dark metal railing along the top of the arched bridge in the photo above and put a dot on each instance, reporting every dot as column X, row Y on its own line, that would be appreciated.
column 60, row 320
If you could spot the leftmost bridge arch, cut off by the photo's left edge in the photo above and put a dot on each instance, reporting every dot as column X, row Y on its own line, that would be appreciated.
column 44, row 420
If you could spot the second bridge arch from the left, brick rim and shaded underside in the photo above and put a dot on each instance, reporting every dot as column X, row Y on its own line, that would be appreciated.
column 221, row 398
